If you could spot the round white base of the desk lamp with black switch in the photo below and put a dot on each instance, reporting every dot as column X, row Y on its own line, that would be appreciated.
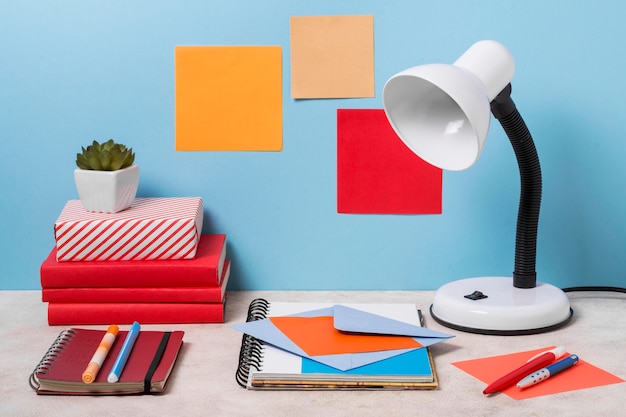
column 492, row 305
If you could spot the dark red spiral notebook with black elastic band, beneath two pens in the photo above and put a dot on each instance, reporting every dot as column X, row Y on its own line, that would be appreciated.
column 146, row 371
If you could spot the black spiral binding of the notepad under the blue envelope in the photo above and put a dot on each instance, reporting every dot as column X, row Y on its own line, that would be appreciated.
column 251, row 353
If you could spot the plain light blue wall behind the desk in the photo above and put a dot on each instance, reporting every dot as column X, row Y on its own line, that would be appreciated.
column 72, row 71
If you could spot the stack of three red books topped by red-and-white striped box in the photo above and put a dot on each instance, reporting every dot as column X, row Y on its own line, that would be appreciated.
column 100, row 288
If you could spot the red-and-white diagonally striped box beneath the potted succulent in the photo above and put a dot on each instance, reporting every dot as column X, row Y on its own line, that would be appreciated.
column 152, row 228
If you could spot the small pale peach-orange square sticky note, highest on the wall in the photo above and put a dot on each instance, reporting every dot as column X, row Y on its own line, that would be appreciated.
column 332, row 56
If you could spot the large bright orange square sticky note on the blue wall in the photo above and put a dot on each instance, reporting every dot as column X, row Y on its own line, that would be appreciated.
column 228, row 98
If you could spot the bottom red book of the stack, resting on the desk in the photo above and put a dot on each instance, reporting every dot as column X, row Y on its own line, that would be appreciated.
column 127, row 313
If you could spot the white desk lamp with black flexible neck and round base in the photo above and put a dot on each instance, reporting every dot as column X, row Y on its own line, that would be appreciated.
column 442, row 113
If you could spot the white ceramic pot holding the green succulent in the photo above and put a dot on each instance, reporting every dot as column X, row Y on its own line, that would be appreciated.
column 107, row 191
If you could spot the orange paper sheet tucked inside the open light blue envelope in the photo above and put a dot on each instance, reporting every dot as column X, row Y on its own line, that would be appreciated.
column 317, row 336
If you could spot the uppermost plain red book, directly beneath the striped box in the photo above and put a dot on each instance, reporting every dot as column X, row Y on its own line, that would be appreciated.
column 204, row 270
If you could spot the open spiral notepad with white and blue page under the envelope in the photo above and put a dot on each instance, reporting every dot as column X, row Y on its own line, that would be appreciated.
column 263, row 366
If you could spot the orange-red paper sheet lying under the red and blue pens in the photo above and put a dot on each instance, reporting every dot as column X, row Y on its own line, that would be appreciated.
column 580, row 376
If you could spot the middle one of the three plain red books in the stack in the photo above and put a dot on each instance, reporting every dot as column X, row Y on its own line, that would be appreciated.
column 140, row 295
